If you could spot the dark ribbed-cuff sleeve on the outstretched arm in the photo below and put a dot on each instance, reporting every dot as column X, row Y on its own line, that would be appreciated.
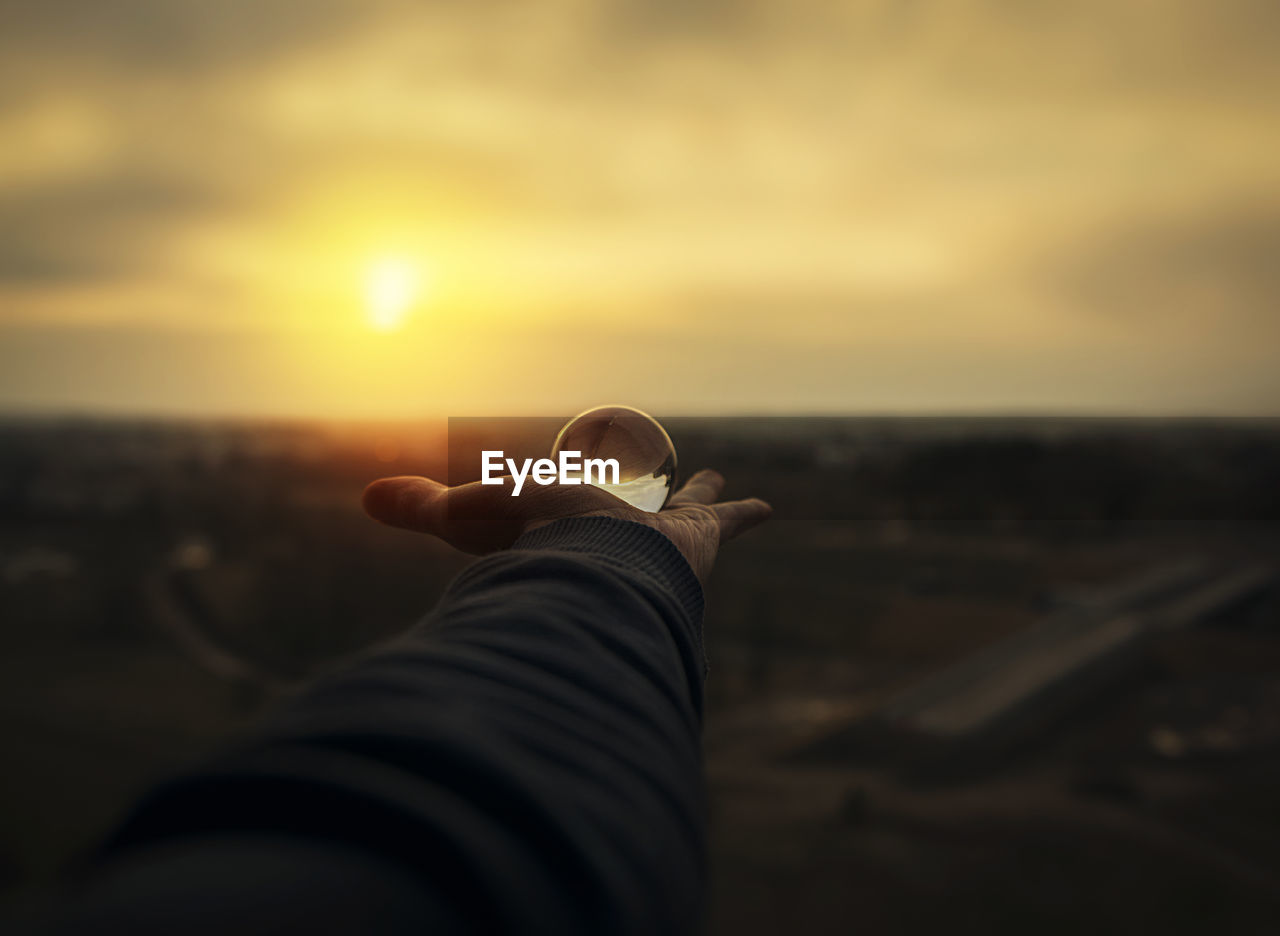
column 528, row 760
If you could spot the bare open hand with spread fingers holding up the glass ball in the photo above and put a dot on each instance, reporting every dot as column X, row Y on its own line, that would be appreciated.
column 484, row 518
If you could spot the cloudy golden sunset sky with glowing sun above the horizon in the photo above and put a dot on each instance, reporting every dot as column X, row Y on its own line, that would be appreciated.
column 390, row 209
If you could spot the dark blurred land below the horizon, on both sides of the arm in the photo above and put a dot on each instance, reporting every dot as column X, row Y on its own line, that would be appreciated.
column 163, row 583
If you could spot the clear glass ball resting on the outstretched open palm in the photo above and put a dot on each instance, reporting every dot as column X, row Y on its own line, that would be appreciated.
column 647, row 460
